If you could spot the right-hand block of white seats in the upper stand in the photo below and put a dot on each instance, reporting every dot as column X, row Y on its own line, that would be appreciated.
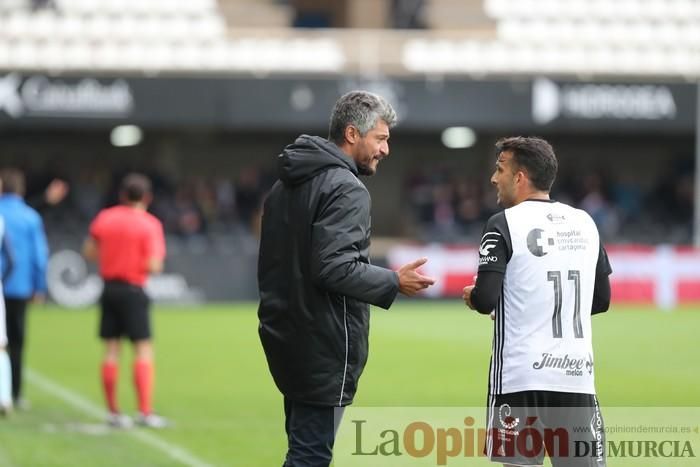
column 632, row 37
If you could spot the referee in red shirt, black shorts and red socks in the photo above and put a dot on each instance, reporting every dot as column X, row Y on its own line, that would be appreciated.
column 128, row 244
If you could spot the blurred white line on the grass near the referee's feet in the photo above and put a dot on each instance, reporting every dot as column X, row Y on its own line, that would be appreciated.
column 75, row 400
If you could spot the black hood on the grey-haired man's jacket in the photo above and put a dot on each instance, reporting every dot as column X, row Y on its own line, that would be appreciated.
column 308, row 156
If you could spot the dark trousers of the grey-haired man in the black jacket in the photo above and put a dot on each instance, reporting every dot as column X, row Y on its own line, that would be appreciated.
column 310, row 433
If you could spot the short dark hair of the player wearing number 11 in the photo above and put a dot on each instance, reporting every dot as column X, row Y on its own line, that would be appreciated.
column 535, row 156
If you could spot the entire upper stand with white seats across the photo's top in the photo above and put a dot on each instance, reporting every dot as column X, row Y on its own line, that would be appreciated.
column 631, row 37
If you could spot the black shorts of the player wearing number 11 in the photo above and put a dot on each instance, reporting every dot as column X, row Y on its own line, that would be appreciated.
column 523, row 427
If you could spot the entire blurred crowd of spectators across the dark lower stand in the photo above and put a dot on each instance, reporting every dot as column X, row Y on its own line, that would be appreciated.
column 442, row 205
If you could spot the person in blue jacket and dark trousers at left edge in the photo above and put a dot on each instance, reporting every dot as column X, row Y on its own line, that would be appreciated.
column 25, row 232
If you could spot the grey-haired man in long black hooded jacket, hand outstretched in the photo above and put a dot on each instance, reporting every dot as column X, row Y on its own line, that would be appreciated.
column 314, row 274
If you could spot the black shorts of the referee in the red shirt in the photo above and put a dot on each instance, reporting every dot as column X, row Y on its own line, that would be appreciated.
column 125, row 312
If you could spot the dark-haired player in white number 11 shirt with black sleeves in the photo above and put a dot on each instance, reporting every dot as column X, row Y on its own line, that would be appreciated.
column 544, row 271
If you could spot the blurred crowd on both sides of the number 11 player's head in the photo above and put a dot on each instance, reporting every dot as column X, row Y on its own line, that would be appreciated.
column 448, row 207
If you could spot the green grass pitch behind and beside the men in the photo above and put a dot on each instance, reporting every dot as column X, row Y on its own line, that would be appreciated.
column 213, row 383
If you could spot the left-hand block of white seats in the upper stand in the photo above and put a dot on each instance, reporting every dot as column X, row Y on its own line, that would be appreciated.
column 152, row 36
